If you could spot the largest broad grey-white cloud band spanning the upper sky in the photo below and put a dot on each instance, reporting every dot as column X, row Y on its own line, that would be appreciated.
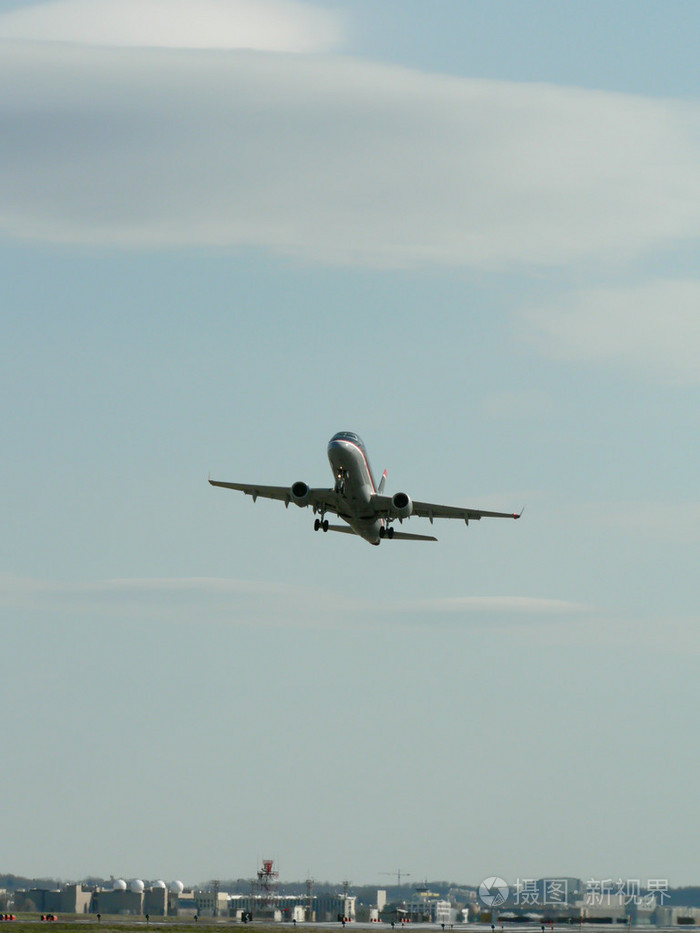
column 335, row 160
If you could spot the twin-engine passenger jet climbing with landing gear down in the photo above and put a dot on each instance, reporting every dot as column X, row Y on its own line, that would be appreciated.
column 357, row 500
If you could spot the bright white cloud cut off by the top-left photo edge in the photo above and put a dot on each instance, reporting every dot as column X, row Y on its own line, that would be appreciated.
column 270, row 25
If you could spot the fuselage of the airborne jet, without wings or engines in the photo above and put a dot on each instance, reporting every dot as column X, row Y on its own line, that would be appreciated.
column 354, row 485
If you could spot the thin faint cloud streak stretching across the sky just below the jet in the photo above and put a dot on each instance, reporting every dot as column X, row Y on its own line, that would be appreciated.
column 265, row 605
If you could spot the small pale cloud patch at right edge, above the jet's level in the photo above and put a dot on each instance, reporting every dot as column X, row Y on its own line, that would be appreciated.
column 654, row 326
